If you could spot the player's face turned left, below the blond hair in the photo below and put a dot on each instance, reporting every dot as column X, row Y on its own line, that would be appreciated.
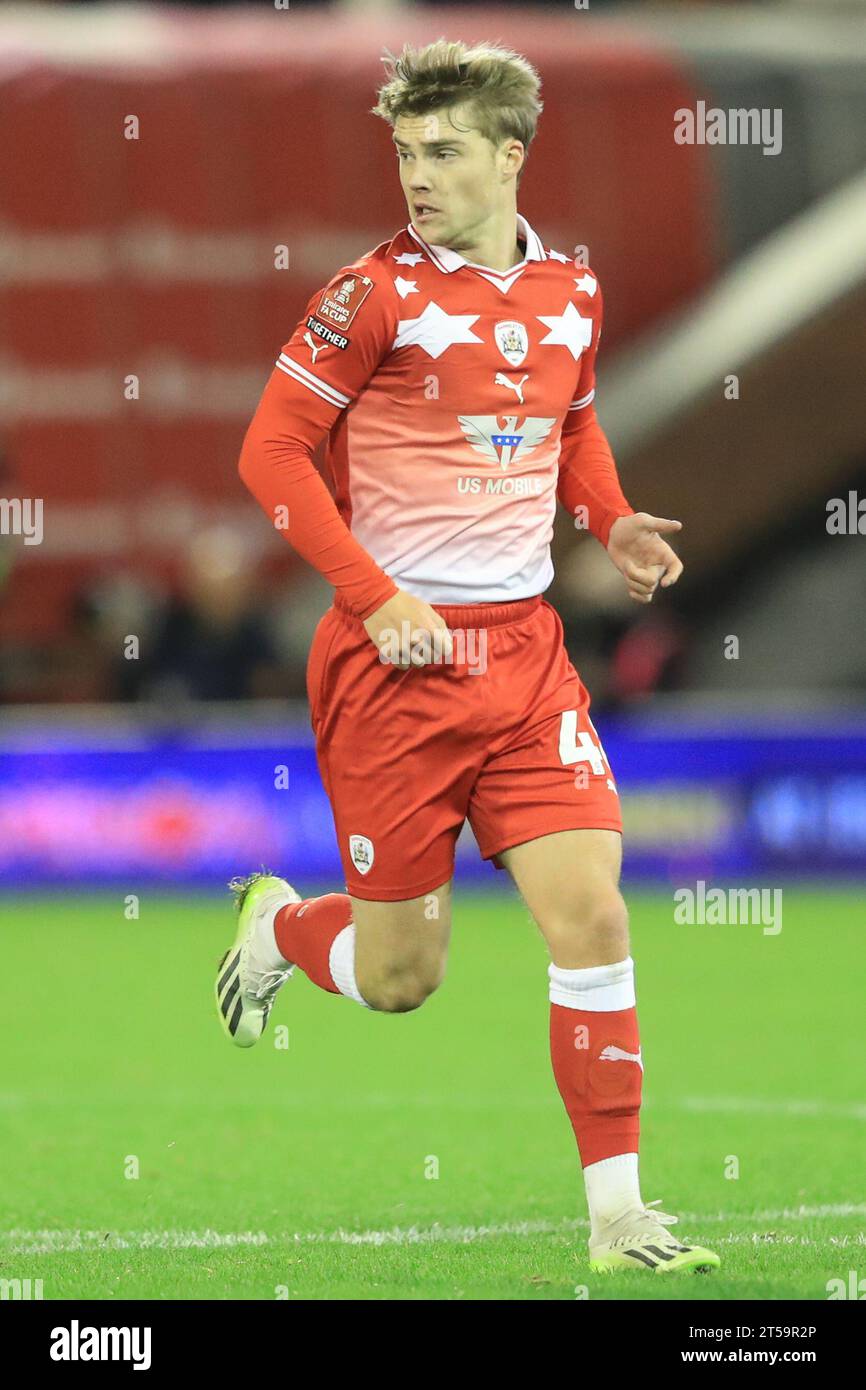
column 455, row 180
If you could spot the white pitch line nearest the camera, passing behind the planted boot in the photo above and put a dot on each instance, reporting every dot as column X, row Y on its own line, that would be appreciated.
column 65, row 1242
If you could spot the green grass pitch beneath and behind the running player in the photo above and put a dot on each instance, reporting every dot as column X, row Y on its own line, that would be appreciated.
column 308, row 1172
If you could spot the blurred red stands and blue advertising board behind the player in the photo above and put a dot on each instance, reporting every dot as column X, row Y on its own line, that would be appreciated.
column 155, row 259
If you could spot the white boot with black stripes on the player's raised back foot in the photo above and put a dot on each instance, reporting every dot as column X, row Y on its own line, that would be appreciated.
column 251, row 972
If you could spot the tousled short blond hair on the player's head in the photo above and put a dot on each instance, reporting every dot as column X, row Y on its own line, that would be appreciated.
column 501, row 88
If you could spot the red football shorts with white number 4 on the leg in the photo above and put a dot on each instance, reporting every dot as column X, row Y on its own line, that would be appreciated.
column 501, row 736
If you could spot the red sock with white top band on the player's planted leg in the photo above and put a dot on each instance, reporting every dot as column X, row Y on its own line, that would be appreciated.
column 596, row 1054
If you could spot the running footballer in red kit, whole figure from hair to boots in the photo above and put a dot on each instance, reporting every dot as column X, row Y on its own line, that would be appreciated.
column 452, row 373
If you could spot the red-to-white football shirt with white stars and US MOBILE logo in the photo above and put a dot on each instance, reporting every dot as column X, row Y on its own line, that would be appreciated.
column 458, row 401
